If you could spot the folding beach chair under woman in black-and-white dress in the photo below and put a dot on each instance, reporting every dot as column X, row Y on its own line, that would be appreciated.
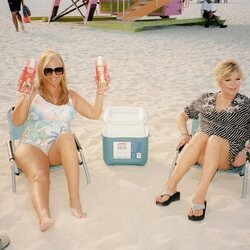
column 242, row 170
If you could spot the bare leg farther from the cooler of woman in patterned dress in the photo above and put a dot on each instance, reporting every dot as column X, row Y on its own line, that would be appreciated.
column 216, row 156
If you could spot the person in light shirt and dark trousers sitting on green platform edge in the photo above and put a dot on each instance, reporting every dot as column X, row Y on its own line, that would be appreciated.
column 208, row 14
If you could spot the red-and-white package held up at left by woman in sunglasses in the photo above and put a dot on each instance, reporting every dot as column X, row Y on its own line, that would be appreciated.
column 26, row 82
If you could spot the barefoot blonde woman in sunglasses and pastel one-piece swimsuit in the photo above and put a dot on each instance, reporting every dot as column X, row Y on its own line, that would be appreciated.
column 47, row 140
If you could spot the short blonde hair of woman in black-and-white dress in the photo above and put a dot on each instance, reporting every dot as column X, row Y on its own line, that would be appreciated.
column 225, row 67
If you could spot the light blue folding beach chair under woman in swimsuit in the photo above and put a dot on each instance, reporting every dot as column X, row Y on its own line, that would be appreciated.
column 15, row 134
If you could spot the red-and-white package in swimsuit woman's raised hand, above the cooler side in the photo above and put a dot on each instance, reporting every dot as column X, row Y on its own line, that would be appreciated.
column 102, row 73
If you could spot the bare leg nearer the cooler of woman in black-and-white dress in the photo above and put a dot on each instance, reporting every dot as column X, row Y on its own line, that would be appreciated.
column 187, row 158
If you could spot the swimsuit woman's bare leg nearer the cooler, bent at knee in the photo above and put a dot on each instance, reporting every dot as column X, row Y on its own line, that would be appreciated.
column 63, row 151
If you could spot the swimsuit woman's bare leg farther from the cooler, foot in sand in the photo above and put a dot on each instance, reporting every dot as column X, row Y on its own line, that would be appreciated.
column 35, row 165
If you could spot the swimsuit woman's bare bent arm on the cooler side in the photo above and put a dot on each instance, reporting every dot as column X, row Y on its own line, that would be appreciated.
column 86, row 109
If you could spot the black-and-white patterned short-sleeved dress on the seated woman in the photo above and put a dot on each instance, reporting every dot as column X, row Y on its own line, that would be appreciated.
column 232, row 124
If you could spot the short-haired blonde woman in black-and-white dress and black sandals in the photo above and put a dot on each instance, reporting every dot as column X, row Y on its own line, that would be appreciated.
column 220, row 141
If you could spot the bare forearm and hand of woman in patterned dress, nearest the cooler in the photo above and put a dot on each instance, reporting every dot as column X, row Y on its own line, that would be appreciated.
column 182, row 125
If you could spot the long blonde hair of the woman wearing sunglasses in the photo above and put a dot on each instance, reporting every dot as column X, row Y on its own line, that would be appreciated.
column 43, row 61
